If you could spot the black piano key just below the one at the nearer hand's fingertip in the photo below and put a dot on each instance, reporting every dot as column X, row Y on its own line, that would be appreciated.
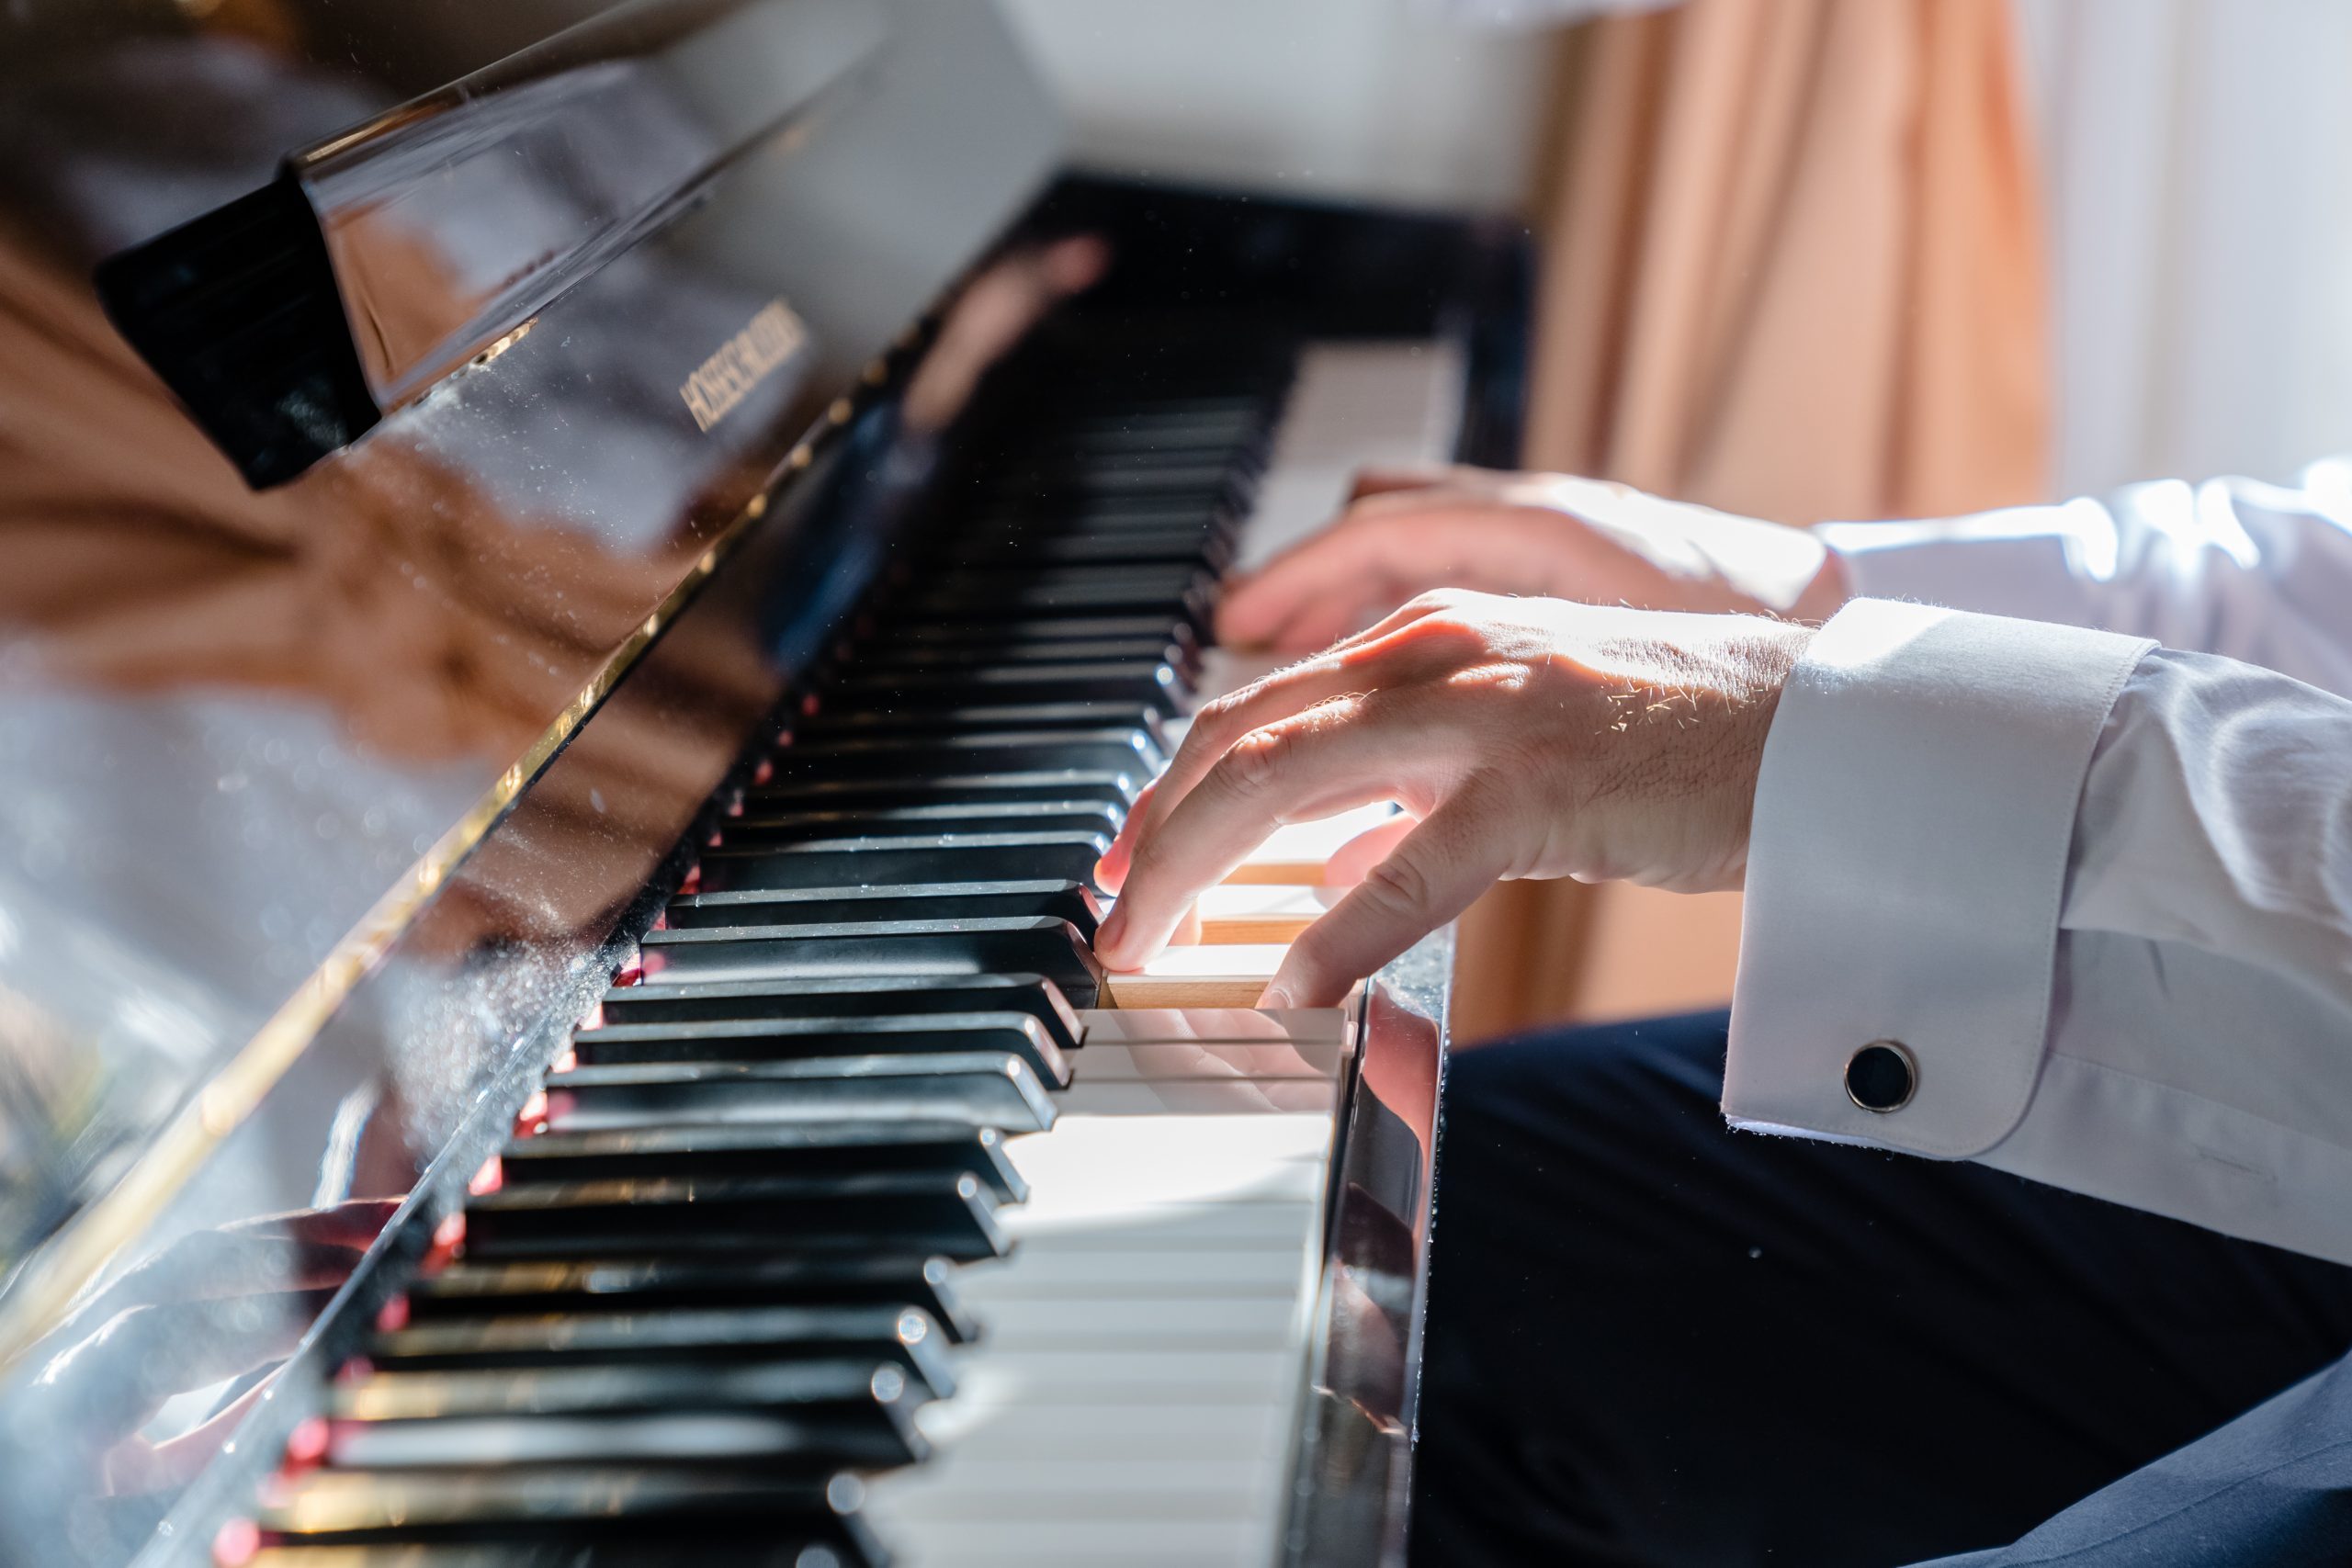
column 850, row 998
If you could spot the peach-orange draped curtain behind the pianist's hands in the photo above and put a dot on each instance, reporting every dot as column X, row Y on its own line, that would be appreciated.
column 1796, row 272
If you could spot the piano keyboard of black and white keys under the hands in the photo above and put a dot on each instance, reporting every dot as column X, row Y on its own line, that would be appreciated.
column 871, row 1221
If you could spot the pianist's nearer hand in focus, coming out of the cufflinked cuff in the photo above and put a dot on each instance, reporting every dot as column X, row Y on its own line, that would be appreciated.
column 1523, row 739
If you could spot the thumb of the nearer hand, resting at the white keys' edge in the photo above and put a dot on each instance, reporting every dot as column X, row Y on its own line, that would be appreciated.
column 1434, row 876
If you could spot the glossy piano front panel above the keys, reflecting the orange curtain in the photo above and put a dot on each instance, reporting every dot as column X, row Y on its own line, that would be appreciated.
column 594, row 293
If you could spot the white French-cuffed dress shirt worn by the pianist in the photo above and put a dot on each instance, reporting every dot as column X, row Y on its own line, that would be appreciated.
column 2097, row 890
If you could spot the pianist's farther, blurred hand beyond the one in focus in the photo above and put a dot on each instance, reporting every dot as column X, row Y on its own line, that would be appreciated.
column 1535, row 535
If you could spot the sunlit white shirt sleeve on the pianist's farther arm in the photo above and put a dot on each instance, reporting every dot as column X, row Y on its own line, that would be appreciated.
column 2259, row 572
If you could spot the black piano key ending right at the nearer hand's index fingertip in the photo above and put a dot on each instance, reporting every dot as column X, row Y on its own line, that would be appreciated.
column 1048, row 949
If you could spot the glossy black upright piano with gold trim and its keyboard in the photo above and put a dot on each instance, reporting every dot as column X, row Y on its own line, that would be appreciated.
column 587, row 587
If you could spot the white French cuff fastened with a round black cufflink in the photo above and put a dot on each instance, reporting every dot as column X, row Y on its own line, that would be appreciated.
column 1906, row 871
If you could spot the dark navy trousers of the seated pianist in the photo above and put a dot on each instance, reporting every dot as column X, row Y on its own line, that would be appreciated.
column 1659, row 1341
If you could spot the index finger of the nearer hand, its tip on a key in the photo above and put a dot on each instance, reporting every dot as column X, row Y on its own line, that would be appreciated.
column 1344, row 753
